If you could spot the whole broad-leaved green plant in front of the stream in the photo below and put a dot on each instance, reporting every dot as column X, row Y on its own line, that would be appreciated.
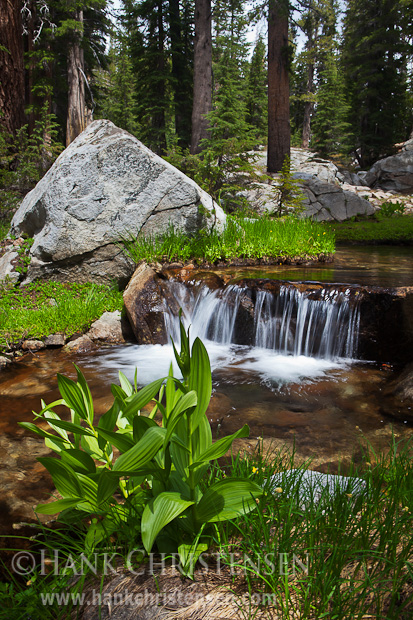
column 156, row 488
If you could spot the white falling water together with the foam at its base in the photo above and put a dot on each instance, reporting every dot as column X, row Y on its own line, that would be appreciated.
column 295, row 338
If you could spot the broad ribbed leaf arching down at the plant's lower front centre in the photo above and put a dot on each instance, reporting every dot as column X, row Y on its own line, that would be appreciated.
column 158, row 513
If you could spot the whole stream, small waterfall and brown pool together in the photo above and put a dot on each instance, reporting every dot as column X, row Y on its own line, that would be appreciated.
column 285, row 364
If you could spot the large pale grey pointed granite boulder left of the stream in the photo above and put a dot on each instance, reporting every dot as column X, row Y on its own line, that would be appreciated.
column 105, row 185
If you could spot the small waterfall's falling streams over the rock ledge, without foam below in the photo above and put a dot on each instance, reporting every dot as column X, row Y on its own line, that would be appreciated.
column 290, row 322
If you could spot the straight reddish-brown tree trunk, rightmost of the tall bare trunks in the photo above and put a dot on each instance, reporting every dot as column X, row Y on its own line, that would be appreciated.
column 278, row 86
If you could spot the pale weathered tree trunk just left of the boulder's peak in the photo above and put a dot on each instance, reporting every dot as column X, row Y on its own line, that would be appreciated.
column 76, row 105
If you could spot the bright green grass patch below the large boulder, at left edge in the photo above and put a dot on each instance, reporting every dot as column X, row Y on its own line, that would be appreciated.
column 42, row 308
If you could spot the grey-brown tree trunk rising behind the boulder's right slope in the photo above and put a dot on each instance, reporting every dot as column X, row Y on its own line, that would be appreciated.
column 202, row 103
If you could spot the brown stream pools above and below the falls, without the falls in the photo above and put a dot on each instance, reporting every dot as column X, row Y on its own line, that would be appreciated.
column 324, row 407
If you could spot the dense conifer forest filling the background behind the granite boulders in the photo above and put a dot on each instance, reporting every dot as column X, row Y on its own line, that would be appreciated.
column 182, row 77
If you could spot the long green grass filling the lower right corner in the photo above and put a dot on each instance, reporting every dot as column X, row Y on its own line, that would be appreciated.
column 357, row 550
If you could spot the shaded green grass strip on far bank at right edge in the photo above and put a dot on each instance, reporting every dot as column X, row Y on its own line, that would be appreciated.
column 397, row 229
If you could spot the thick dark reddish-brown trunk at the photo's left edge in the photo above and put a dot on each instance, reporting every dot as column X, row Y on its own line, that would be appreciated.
column 11, row 66
